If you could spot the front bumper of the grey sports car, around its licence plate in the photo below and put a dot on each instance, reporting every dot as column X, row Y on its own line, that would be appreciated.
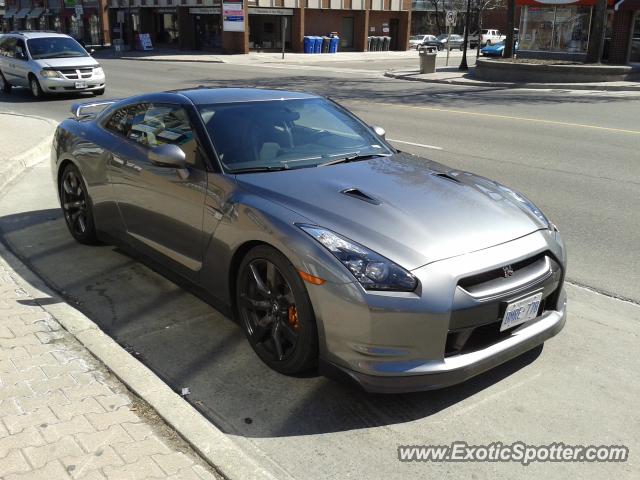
column 398, row 342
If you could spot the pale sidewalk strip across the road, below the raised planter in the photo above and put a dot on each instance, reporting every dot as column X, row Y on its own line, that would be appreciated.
column 451, row 76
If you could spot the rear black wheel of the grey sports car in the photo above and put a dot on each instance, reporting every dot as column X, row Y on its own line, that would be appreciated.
column 77, row 206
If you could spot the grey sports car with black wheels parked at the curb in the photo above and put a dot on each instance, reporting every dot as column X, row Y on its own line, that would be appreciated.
column 332, row 248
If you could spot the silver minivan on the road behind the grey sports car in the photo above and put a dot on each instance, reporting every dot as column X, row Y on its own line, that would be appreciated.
column 48, row 63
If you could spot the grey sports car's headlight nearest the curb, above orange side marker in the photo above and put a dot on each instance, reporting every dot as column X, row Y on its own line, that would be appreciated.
column 373, row 271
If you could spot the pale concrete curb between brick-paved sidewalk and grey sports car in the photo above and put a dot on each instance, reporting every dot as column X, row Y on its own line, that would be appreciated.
column 205, row 438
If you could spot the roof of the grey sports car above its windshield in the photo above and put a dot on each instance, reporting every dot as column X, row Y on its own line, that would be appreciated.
column 201, row 96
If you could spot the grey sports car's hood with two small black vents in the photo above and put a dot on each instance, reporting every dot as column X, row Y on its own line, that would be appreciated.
column 409, row 209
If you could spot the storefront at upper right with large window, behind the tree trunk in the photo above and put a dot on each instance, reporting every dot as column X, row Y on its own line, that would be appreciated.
column 561, row 29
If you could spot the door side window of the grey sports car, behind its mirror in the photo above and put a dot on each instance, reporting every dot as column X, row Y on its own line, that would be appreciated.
column 159, row 124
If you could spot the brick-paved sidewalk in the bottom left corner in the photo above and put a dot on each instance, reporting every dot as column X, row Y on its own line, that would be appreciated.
column 63, row 415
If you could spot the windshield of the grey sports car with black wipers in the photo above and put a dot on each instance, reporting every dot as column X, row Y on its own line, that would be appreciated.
column 286, row 134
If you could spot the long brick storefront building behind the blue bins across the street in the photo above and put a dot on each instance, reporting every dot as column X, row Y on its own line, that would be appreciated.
column 240, row 26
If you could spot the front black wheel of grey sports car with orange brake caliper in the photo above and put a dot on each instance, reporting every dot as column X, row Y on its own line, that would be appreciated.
column 265, row 310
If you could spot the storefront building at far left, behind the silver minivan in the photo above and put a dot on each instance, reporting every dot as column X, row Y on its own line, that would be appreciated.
column 82, row 19
